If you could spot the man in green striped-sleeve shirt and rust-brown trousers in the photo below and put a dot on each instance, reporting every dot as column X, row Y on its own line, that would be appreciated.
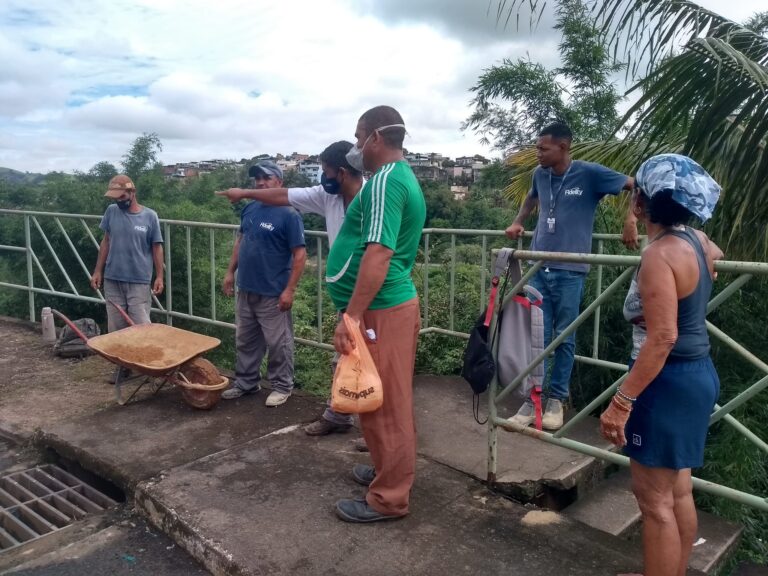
column 369, row 277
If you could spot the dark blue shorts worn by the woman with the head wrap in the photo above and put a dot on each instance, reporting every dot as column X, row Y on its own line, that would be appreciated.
column 668, row 424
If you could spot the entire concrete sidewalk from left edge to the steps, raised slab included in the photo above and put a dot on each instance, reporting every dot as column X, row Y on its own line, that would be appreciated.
column 244, row 491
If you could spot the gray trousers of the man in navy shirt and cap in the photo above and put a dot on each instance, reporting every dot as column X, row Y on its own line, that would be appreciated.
column 262, row 328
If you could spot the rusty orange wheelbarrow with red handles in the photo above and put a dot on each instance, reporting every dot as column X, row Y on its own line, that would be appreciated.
column 162, row 354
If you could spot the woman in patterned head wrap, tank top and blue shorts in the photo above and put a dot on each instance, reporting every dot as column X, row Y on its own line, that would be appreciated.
column 660, row 413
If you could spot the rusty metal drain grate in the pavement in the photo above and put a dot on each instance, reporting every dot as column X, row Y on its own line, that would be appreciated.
column 42, row 500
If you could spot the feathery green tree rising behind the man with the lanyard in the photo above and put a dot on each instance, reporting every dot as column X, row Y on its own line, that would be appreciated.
column 515, row 99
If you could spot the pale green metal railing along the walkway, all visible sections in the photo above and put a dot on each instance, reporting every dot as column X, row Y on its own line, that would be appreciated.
column 217, row 240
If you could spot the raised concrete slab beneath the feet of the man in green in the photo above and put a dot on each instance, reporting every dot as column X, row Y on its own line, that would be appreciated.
column 266, row 507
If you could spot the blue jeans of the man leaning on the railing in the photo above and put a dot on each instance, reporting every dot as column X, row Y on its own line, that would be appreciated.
column 562, row 291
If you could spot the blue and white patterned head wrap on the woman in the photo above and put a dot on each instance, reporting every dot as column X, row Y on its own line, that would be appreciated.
column 690, row 184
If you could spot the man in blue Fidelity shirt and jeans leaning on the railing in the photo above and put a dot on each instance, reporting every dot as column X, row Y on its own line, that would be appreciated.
column 567, row 193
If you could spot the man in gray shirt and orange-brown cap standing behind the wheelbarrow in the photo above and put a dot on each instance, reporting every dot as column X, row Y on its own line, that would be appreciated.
column 132, row 243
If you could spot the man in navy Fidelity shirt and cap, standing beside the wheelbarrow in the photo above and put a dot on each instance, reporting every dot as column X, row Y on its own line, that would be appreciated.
column 269, row 257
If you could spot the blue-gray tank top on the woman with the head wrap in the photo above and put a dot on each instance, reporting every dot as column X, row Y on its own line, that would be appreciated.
column 692, row 338
